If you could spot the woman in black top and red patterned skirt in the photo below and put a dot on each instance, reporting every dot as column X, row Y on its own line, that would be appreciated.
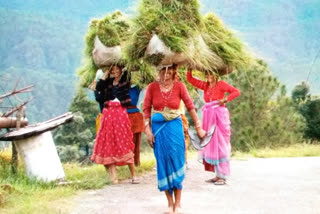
column 113, row 146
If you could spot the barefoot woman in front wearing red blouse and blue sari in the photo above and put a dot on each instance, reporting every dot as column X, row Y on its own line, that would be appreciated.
column 165, row 132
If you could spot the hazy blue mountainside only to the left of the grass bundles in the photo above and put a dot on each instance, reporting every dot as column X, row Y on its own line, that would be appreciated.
column 42, row 43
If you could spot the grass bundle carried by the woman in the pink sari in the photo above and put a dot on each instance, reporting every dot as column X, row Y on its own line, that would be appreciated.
column 224, row 43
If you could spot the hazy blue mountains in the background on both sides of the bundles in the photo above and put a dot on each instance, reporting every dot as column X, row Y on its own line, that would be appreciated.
column 44, row 40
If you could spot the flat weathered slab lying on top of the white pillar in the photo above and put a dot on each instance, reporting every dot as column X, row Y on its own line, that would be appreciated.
column 37, row 129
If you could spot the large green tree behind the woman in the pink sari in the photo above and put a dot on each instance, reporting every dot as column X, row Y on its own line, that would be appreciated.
column 262, row 116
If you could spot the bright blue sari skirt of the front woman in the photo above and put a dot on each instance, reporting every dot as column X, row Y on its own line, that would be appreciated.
column 169, row 150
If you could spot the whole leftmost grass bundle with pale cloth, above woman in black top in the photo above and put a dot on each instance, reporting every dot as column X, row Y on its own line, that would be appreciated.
column 103, row 45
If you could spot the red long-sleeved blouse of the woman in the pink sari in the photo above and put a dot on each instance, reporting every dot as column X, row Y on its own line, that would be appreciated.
column 214, row 93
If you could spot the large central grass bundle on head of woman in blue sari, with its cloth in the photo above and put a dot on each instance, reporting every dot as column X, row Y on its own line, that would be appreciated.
column 168, row 31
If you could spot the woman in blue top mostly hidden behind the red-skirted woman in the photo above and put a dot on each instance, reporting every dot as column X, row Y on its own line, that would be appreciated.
column 136, row 120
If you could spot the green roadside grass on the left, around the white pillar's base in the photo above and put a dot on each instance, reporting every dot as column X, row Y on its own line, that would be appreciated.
column 21, row 194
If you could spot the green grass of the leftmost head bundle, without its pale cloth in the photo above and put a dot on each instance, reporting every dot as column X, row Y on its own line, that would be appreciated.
column 111, row 31
